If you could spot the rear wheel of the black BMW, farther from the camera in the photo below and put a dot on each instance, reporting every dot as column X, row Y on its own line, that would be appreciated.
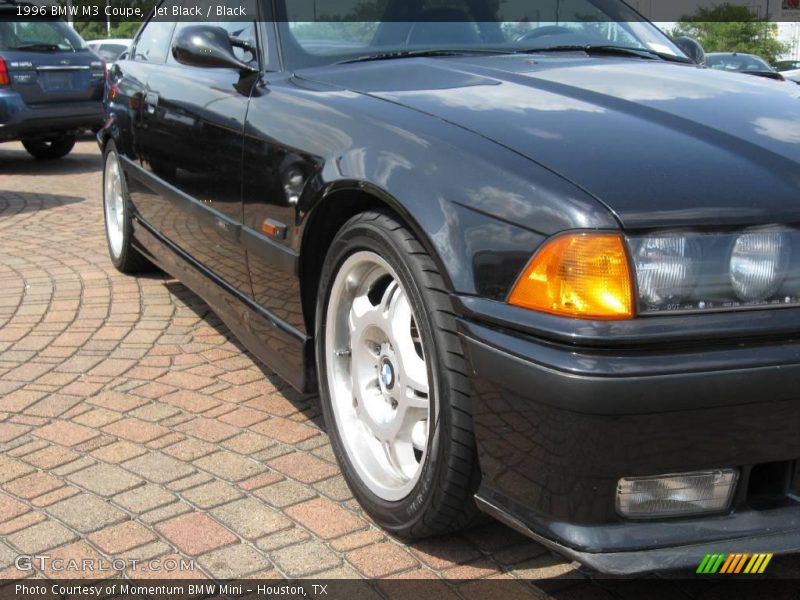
column 118, row 218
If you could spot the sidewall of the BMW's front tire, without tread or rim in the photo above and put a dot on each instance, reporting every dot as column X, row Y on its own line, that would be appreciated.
column 354, row 237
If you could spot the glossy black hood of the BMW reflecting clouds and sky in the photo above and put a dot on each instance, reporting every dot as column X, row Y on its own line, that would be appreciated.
column 660, row 144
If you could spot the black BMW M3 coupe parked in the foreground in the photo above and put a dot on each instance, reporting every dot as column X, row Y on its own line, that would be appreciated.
column 544, row 269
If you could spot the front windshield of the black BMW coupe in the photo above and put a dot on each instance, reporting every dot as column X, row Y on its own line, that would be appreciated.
column 316, row 32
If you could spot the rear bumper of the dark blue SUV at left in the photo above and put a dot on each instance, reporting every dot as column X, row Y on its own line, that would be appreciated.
column 18, row 120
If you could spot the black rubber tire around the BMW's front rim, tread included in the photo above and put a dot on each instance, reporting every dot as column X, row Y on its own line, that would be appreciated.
column 442, row 499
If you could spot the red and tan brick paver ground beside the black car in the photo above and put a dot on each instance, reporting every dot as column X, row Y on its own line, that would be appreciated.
column 132, row 424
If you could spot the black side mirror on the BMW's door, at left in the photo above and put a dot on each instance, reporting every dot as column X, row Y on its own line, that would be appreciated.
column 207, row 46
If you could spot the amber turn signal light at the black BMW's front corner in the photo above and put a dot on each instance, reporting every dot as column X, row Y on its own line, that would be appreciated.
column 579, row 275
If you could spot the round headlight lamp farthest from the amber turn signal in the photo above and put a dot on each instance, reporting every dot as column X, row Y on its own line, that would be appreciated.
column 758, row 264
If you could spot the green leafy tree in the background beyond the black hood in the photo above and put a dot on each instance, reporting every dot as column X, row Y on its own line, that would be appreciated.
column 729, row 28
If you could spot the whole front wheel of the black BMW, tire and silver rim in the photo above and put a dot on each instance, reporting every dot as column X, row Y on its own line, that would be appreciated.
column 391, row 370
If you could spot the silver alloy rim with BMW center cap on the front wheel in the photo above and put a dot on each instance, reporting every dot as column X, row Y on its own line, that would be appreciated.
column 378, row 376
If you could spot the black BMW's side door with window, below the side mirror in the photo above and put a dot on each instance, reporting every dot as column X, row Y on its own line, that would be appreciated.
column 189, row 137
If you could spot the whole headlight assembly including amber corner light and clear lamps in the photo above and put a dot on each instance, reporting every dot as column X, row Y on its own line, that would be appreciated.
column 590, row 275
